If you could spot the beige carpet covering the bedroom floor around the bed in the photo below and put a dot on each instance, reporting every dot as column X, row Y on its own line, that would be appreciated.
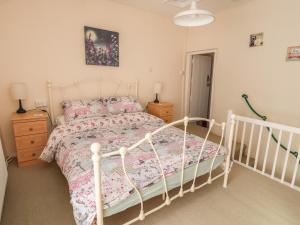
column 39, row 195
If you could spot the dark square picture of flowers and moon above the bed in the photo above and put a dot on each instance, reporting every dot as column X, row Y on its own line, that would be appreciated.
column 101, row 47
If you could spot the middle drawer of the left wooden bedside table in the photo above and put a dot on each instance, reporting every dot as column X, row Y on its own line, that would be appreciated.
column 31, row 141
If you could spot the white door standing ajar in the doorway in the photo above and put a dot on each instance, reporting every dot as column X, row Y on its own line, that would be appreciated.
column 200, row 86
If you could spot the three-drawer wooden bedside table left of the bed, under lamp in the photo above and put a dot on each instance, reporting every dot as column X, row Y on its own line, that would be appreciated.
column 31, row 135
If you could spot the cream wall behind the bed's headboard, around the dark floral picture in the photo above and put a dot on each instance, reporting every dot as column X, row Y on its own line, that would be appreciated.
column 43, row 40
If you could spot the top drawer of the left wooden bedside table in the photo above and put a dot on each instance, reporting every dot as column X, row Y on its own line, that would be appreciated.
column 29, row 128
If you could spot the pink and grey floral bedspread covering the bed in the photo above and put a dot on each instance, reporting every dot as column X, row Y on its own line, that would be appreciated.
column 70, row 145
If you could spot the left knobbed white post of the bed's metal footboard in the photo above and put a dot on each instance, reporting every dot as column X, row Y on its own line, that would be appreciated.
column 96, row 149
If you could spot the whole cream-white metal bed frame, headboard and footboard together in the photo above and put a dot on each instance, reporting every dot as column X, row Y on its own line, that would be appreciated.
column 96, row 148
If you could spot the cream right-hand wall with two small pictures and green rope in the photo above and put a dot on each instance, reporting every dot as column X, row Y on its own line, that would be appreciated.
column 263, row 73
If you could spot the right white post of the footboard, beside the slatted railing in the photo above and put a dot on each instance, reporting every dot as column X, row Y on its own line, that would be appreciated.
column 228, row 145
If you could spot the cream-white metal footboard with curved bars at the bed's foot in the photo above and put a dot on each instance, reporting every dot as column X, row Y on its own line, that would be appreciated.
column 97, row 156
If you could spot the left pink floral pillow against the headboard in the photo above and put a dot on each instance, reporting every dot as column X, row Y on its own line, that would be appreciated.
column 81, row 109
